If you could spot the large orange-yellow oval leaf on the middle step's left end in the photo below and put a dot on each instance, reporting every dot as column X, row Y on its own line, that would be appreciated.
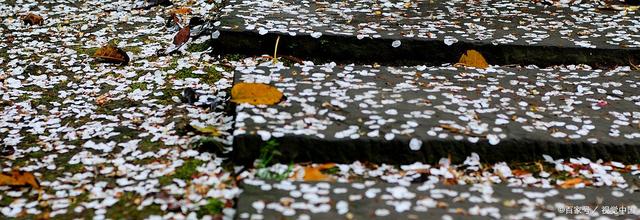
column 255, row 94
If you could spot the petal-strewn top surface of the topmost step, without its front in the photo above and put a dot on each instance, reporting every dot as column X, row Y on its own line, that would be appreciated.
column 578, row 24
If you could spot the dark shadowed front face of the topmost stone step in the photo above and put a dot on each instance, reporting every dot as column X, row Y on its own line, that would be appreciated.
column 348, row 49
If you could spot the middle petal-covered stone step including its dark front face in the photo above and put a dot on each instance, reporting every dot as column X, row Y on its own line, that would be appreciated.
column 400, row 115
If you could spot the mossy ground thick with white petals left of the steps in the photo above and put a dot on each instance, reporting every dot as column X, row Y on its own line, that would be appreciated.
column 108, row 141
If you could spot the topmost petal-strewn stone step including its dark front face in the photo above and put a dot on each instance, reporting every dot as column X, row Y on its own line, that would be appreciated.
column 433, row 32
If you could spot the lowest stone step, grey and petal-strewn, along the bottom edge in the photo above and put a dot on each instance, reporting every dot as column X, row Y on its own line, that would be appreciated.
column 378, row 200
